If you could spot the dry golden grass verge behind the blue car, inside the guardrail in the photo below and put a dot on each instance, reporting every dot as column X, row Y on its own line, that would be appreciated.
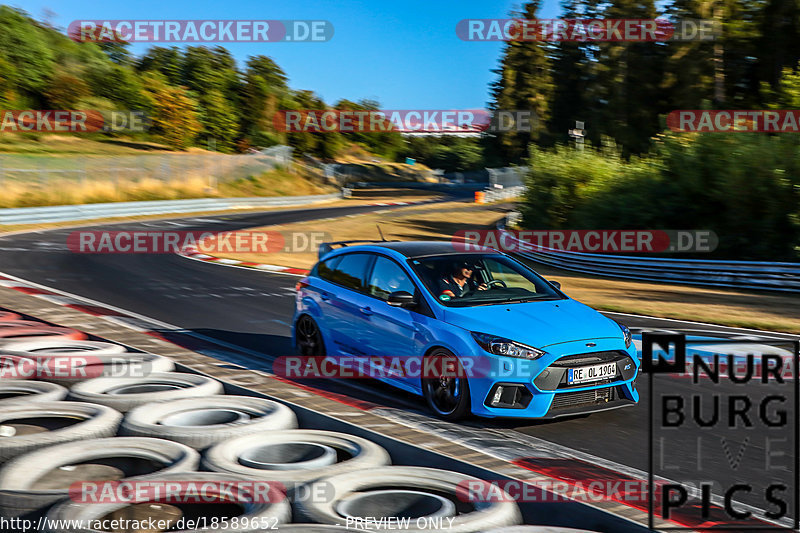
column 758, row 310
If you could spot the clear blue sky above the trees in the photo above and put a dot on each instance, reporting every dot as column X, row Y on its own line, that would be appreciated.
column 403, row 53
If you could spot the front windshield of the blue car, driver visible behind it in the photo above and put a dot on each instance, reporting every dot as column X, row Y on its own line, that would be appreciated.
column 481, row 279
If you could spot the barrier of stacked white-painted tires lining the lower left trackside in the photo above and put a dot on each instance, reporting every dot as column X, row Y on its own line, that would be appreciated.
column 156, row 427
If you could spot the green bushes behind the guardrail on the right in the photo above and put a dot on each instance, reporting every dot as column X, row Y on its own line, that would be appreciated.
column 743, row 186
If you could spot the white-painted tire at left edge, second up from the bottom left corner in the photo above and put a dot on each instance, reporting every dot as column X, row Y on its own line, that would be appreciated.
column 93, row 421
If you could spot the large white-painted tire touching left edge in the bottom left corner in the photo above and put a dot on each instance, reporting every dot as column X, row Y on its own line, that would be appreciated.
column 26, row 493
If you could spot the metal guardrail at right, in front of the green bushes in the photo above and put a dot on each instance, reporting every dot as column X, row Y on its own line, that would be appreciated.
column 740, row 274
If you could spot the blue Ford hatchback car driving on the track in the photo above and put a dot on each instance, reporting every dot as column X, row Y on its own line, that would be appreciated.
column 473, row 331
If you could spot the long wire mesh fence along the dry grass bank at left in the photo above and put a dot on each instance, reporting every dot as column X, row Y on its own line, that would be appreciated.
column 81, row 168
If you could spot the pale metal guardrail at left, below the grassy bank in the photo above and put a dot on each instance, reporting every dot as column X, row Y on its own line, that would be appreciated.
column 67, row 213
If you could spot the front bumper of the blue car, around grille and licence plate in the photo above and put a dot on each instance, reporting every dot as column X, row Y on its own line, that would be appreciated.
column 543, row 392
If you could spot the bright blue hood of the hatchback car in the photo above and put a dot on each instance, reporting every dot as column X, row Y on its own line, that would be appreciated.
column 537, row 324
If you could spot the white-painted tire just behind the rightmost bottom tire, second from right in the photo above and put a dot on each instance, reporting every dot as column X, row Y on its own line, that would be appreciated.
column 350, row 453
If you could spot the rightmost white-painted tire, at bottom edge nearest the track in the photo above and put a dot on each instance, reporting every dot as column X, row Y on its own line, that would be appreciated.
column 374, row 492
